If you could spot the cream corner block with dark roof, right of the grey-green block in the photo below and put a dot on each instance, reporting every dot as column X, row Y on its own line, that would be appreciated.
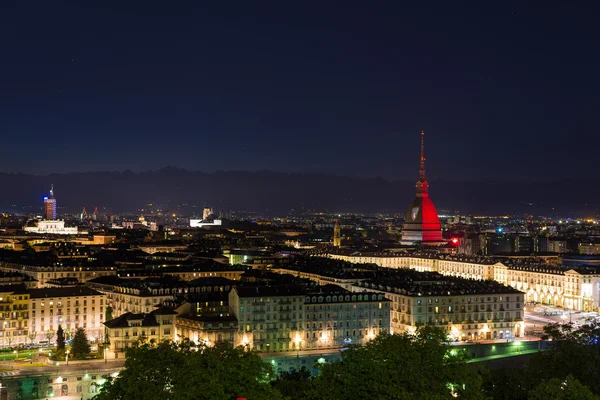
column 469, row 310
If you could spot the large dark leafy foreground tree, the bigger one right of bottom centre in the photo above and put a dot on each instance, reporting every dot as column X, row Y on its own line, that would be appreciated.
column 400, row 366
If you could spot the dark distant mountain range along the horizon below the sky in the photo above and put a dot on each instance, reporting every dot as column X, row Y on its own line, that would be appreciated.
column 276, row 193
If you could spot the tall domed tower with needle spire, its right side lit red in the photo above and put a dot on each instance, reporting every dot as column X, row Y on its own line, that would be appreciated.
column 421, row 222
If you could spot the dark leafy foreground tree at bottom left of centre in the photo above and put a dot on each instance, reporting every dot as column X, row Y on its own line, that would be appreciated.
column 168, row 370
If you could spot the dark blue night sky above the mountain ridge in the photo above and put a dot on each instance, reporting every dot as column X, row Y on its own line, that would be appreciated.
column 503, row 91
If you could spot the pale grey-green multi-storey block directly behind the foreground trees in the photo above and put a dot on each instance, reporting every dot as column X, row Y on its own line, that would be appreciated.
column 279, row 319
